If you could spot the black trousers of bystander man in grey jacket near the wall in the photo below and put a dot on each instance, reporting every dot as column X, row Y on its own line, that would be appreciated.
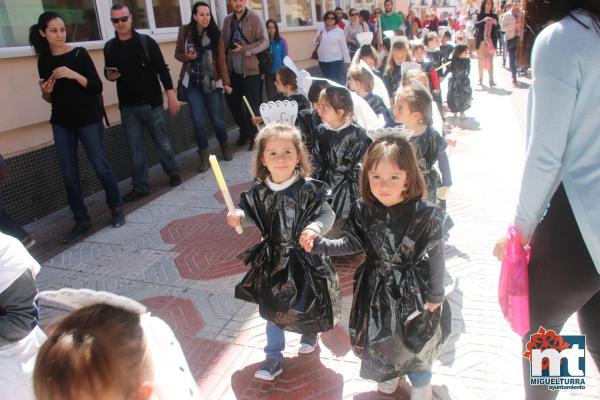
column 251, row 87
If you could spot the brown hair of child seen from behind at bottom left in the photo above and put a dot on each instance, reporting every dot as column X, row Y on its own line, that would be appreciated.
column 93, row 351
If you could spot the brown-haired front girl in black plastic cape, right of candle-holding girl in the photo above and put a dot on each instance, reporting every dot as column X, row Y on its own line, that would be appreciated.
column 397, row 322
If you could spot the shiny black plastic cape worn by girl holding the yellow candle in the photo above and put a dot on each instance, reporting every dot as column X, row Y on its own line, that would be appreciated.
column 298, row 291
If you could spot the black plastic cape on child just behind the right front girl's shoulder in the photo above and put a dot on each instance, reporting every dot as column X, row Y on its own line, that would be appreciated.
column 429, row 145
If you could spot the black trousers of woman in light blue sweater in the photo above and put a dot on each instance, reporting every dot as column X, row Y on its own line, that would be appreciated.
column 562, row 280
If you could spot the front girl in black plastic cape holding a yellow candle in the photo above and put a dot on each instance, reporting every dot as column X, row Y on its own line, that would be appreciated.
column 295, row 291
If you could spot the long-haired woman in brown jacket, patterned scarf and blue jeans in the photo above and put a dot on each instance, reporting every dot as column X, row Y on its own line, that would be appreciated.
column 204, row 75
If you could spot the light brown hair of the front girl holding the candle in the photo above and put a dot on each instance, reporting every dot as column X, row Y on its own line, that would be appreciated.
column 284, row 131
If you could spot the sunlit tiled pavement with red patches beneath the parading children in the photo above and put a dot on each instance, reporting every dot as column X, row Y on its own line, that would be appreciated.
column 177, row 256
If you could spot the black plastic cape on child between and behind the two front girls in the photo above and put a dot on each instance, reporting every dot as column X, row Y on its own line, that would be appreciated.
column 339, row 154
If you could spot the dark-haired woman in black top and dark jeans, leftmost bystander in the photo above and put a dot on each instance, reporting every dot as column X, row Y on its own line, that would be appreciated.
column 69, row 81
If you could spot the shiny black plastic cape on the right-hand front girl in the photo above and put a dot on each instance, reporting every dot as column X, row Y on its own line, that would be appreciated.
column 392, row 285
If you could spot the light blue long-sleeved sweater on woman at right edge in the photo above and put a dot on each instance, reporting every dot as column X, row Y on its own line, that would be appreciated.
column 564, row 128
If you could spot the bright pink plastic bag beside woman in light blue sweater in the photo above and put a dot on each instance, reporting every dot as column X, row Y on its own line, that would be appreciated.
column 513, row 288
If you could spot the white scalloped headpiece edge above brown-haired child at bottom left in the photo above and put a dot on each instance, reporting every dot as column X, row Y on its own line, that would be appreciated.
column 75, row 299
